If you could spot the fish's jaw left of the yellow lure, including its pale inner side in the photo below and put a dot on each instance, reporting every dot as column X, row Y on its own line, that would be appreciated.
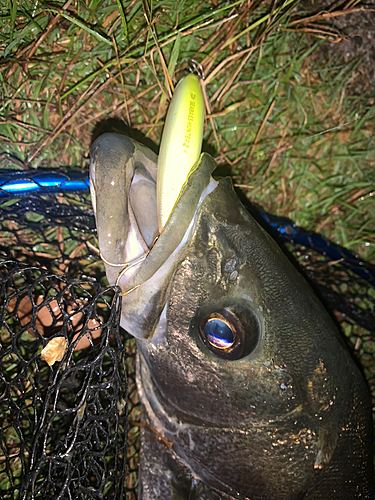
column 123, row 190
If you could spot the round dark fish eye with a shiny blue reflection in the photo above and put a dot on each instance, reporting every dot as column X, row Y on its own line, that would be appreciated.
column 223, row 332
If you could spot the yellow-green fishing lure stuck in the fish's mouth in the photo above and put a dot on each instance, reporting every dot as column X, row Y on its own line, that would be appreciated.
column 181, row 144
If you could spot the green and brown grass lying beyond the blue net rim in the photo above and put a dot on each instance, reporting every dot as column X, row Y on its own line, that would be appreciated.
column 288, row 127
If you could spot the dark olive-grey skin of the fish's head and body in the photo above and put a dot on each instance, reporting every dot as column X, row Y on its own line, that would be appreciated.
column 290, row 418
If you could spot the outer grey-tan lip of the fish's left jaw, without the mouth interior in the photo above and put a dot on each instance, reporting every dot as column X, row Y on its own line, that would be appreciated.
column 115, row 159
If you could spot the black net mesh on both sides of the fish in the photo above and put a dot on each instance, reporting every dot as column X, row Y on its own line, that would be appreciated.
column 69, row 407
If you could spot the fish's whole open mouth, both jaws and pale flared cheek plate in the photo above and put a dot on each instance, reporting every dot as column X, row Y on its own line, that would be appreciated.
column 137, row 259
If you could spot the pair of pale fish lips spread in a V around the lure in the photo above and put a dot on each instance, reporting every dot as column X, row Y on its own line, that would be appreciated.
column 115, row 161
